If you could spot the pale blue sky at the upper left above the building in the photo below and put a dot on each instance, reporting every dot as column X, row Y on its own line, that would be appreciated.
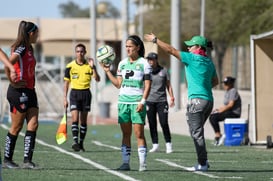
column 41, row 8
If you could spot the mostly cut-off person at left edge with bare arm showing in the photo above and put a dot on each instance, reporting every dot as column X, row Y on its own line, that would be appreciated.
column 13, row 76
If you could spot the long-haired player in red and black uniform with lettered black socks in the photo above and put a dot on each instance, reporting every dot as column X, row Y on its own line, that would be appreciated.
column 22, row 96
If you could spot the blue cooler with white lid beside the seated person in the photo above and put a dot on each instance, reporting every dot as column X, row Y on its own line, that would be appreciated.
column 235, row 130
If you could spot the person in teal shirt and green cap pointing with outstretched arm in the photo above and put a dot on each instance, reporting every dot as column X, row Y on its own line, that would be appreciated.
column 201, row 78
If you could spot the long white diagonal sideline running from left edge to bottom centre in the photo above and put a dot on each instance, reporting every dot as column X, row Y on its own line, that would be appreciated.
column 121, row 175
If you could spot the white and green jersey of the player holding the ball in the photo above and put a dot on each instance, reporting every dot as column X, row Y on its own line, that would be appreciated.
column 133, row 76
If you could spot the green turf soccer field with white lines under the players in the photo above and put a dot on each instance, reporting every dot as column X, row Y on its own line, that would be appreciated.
column 102, row 157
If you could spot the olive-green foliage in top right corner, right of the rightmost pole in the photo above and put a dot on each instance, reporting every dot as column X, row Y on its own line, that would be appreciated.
column 232, row 22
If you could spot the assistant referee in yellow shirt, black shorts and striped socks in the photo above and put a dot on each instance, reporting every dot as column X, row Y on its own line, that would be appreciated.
column 79, row 73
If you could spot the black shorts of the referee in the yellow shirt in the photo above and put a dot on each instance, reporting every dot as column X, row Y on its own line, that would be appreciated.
column 80, row 100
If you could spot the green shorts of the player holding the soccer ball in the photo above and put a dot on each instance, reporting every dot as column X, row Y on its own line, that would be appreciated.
column 127, row 113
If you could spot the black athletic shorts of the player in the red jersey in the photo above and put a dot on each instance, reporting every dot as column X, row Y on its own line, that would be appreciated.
column 21, row 99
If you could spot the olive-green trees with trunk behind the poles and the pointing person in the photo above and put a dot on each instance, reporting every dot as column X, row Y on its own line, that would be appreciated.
column 228, row 22
